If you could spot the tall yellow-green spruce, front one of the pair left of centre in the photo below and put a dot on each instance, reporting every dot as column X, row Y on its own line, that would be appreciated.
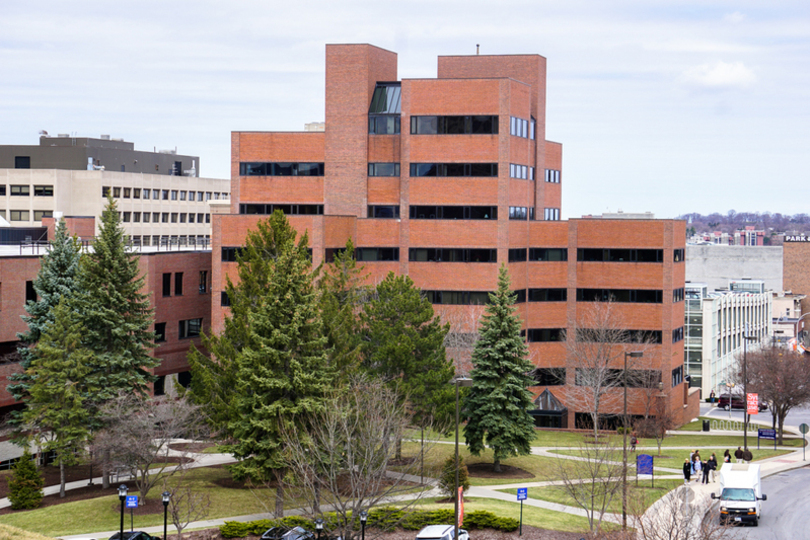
column 282, row 376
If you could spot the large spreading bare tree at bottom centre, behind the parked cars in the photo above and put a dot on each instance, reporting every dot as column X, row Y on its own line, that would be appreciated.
column 343, row 459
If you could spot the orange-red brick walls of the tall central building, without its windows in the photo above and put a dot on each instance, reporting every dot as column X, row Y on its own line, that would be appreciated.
column 502, row 86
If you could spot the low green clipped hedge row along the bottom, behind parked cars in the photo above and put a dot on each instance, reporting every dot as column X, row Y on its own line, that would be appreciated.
column 382, row 518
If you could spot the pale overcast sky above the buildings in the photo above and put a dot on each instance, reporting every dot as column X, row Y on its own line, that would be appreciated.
column 665, row 106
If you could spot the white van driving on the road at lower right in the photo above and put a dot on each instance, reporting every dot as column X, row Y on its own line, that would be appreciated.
column 740, row 494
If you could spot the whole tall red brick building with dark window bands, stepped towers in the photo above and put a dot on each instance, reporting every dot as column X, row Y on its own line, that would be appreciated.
column 445, row 179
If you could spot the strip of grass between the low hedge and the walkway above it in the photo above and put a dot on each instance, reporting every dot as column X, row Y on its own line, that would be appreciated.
column 537, row 517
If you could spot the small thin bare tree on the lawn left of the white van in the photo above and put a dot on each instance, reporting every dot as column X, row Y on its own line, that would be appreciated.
column 592, row 479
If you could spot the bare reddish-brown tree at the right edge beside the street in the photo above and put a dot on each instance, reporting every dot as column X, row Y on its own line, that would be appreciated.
column 781, row 377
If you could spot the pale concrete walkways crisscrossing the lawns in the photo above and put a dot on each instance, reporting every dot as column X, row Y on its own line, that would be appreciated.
column 698, row 495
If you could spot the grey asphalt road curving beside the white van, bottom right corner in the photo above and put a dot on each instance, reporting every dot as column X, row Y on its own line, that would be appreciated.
column 784, row 514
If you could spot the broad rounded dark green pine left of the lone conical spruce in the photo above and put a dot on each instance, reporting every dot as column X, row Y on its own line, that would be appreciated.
column 404, row 345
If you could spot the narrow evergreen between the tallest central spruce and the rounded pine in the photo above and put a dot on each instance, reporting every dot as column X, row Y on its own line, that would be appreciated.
column 342, row 295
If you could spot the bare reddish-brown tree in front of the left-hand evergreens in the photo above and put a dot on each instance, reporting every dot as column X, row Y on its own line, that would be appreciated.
column 138, row 431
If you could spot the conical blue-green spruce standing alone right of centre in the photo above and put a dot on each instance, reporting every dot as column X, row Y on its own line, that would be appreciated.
column 496, row 406
